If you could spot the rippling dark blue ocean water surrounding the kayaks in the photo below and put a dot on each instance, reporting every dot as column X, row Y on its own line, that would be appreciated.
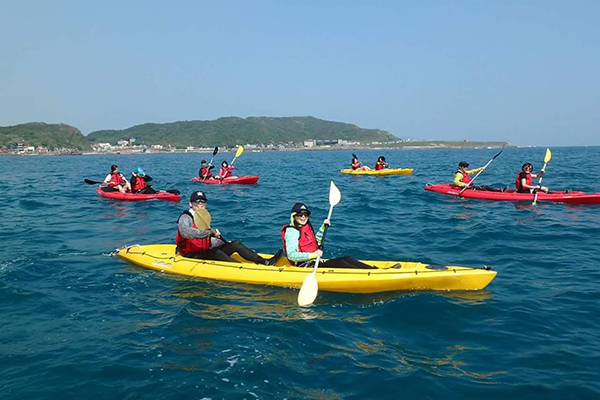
column 79, row 323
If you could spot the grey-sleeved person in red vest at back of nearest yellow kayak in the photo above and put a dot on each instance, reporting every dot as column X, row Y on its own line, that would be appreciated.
column 202, row 242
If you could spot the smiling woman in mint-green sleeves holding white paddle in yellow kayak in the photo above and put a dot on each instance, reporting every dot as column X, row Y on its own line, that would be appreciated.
column 301, row 243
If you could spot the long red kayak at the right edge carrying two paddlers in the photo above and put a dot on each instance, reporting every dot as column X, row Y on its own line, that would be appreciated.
column 512, row 195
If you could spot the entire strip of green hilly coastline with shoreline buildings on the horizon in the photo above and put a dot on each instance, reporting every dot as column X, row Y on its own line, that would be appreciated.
column 221, row 132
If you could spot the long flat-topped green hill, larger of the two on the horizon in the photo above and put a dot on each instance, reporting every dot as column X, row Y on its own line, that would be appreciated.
column 233, row 130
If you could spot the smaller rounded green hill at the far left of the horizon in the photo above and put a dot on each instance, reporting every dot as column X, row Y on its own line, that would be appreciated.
column 52, row 136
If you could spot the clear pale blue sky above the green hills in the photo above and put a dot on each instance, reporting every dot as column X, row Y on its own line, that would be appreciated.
column 523, row 71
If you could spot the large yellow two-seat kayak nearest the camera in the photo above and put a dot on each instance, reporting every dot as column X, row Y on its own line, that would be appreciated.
column 390, row 275
